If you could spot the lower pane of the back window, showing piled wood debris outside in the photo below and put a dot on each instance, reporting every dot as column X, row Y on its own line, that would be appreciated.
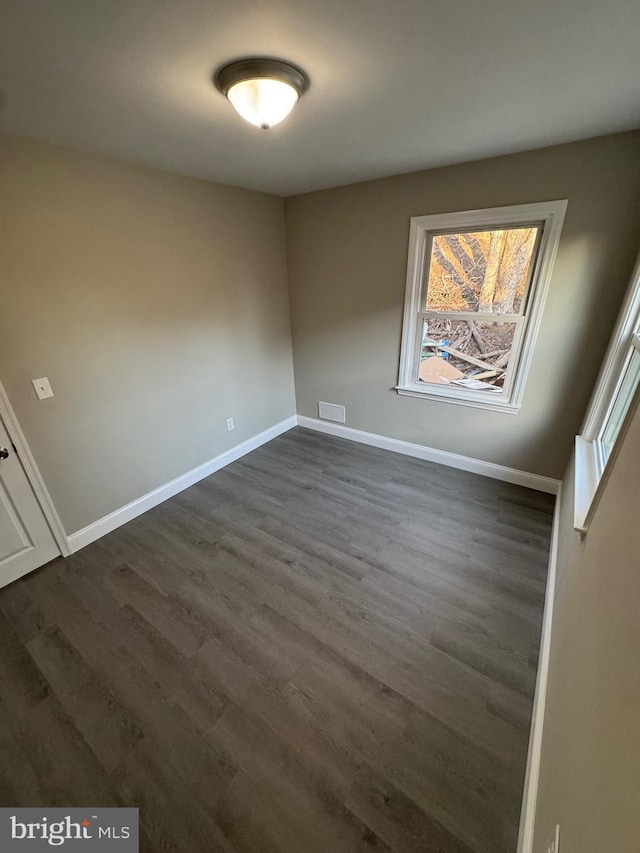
column 469, row 354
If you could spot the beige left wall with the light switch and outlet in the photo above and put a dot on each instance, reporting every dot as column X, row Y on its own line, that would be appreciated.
column 156, row 305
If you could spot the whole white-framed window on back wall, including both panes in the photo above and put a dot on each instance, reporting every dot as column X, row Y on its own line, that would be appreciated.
column 476, row 283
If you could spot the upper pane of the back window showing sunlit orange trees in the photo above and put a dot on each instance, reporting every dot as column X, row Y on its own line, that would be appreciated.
column 480, row 271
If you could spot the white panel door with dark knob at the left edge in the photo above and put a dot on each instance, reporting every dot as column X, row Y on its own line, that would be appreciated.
column 25, row 539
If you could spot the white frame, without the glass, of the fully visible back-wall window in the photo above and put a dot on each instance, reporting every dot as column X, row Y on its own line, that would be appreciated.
column 549, row 216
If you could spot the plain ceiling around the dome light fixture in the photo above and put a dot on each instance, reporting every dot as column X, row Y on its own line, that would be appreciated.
column 396, row 85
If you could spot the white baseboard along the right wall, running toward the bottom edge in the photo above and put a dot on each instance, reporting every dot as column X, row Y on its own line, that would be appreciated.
column 534, row 757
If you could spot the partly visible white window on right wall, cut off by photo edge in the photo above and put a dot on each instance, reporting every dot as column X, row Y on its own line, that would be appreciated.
column 616, row 397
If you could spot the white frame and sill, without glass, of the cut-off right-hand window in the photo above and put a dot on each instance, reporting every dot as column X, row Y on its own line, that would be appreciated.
column 592, row 464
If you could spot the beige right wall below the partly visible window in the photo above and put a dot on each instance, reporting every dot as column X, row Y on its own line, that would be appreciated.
column 590, row 772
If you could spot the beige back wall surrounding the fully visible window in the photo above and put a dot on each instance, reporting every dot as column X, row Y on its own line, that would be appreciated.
column 347, row 254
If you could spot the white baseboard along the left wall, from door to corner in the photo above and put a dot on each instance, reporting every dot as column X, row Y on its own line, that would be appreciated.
column 121, row 516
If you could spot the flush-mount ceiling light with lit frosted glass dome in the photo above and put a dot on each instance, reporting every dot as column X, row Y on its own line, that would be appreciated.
column 263, row 91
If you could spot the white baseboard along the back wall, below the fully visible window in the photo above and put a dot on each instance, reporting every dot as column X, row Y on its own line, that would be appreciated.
column 442, row 457
